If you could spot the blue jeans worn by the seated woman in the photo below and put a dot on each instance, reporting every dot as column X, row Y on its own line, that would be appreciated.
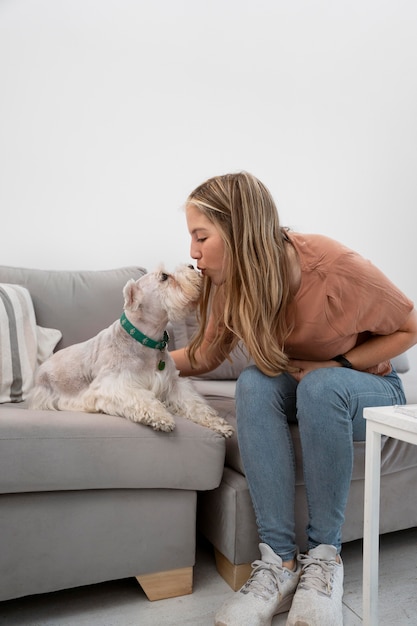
column 328, row 406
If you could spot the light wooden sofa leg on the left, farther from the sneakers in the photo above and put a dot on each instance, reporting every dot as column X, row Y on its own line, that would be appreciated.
column 169, row 584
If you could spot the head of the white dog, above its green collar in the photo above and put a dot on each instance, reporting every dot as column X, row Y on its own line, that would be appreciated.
column 159, row 295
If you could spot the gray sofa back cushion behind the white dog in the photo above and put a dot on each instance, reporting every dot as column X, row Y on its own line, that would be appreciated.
column 78, row 303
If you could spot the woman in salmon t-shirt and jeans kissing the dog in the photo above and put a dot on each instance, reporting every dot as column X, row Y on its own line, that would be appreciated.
column 321, row 325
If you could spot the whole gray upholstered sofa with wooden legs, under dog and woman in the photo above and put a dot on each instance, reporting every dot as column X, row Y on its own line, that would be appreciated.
column 87, row 498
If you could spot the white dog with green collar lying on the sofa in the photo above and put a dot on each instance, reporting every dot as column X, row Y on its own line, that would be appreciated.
column 126, row 369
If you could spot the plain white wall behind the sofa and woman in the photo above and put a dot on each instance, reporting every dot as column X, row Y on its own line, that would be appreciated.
column 111, row 111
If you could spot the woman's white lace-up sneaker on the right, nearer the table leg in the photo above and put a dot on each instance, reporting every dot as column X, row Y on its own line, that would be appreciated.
column 318, row 600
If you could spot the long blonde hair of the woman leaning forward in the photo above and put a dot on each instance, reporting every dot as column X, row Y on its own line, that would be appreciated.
column 256, row 290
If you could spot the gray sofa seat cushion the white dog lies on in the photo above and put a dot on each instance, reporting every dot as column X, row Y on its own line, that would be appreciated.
column 50, row 451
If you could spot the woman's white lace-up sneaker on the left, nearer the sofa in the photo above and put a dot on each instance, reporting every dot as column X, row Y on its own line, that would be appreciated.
column 268, row 591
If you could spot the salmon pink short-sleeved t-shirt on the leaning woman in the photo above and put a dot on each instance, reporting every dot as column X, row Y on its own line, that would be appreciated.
column 342, row 300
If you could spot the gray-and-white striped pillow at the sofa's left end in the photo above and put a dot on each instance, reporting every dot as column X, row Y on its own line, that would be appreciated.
column 18, row 343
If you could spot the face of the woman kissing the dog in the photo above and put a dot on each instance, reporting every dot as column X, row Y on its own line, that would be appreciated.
column 207, row 245
